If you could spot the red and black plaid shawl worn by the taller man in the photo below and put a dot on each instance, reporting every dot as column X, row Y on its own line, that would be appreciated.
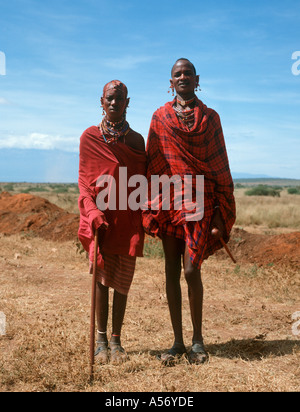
column 173, row 150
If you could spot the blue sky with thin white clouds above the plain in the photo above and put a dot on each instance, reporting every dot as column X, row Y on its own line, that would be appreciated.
column 60, row 53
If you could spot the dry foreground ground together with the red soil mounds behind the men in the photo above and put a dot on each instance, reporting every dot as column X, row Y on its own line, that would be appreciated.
column 253, row 342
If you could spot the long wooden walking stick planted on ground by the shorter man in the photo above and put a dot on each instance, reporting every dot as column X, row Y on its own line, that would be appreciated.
column 93, row 309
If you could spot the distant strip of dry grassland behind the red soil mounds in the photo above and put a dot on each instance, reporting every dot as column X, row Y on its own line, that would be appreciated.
column 266, row 212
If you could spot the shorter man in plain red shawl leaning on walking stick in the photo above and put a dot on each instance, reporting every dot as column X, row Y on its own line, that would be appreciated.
column 104, row 149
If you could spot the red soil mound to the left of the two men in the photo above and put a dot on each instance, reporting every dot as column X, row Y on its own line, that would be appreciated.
column 35, row 215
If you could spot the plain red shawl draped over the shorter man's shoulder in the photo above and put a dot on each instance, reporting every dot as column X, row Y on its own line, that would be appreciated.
column 124, row 234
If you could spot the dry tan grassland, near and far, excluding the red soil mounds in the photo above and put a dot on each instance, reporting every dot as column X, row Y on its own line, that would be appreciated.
column 248, row 326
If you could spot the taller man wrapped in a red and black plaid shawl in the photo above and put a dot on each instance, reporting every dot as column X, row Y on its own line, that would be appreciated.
column 186, row 138
